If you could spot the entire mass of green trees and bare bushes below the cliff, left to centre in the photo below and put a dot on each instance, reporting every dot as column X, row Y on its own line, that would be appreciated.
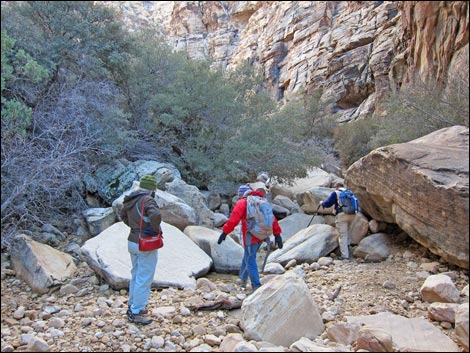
column 78, row 90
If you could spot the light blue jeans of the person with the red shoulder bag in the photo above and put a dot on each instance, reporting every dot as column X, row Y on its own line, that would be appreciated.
column 143, row 270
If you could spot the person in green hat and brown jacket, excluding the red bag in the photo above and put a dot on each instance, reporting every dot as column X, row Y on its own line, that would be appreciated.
column 143, row 262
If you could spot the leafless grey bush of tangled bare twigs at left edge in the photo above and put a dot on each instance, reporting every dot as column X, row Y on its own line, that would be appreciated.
column 41, row 172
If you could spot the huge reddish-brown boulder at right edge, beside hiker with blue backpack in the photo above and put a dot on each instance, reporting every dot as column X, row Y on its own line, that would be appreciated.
column 423, row 187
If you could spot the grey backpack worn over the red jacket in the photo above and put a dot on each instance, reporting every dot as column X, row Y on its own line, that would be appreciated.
column 260, row 217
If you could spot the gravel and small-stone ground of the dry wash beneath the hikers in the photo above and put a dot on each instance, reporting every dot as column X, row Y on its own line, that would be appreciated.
column 93, row 319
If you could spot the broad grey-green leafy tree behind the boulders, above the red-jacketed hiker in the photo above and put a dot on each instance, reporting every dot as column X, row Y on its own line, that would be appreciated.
column 221, row 124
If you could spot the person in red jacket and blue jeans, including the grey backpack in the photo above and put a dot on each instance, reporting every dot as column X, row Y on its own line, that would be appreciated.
column 258, row 224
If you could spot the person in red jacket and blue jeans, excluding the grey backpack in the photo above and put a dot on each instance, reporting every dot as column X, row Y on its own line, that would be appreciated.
column 251, row 244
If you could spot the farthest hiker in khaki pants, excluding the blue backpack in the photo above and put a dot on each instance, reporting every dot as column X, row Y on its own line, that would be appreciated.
column 343, row 220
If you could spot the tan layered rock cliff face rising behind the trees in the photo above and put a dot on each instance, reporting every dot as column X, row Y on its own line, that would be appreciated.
column 356, row 51
